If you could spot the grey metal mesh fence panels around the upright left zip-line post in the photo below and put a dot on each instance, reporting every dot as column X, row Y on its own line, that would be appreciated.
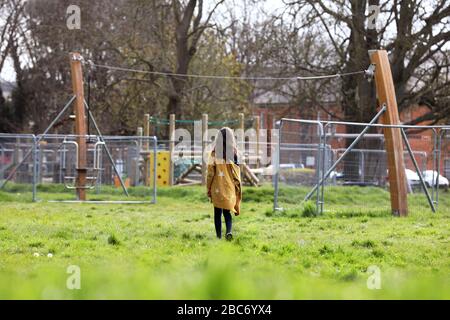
column 118, row 168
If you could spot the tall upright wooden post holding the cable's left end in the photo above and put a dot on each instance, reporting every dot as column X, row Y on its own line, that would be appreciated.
column 80, row 124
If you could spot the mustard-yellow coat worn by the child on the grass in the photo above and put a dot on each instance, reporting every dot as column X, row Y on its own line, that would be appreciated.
column 224, row 184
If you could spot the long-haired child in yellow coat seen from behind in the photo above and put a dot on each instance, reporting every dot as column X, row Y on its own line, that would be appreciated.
column 224, row 181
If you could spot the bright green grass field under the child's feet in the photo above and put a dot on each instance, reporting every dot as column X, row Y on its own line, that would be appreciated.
column 168, row 250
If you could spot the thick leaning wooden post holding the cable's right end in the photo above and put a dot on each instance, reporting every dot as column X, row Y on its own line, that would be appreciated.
column 394, row 146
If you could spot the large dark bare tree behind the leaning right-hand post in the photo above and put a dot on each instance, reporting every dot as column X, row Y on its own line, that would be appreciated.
column 416, row 34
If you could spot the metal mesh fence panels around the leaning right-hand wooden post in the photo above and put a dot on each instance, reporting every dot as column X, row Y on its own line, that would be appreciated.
column 316, row 160
